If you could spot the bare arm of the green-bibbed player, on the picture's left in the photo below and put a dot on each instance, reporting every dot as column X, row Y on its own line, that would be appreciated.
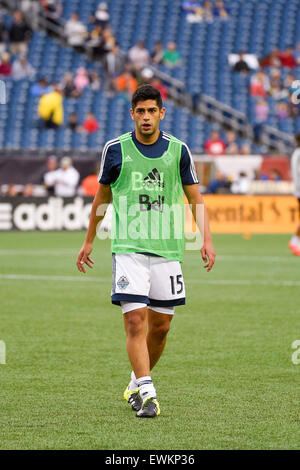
column 103, row 197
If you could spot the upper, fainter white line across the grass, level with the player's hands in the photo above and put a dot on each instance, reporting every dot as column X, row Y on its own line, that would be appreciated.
column 74, row 252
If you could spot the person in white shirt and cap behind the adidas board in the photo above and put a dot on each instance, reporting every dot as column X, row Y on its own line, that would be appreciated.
column 64, row 180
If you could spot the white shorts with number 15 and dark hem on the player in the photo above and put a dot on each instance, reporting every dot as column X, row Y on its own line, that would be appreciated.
column 152, row 280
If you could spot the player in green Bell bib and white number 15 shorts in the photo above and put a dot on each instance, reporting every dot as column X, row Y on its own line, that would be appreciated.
column 146, row 173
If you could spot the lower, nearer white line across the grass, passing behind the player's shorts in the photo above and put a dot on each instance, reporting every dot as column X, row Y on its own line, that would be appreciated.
column 82, row 278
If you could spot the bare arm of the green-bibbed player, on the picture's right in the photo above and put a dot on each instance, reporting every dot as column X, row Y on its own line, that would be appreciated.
column 197, row 205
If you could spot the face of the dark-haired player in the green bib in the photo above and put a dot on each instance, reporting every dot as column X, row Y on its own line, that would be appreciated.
column 147, row 116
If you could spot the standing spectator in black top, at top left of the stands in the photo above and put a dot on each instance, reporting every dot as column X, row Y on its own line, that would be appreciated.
column 19, row 34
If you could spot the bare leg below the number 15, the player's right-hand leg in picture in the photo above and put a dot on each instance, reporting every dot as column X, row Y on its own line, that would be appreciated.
column 158, row 328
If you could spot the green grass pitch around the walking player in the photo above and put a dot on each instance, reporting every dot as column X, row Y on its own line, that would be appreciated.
column 226, row 379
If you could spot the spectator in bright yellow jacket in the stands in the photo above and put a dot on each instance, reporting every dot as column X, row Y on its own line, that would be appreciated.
column 50, row 108
